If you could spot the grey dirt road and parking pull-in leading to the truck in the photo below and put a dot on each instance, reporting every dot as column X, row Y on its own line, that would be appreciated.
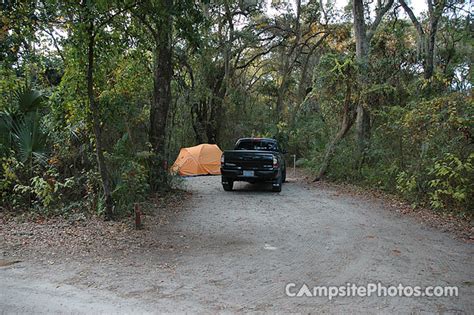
column 236, row 251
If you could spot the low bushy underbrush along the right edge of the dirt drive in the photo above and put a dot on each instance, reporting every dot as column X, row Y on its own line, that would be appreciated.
column 422, row 152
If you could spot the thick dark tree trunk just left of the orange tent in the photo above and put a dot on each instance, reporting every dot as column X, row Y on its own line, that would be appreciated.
column 163, row 72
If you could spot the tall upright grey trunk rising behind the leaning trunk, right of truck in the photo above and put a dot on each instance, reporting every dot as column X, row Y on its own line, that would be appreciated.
column 362, row 54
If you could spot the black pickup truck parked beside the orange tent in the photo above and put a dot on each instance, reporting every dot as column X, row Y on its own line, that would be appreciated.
column 254, row 160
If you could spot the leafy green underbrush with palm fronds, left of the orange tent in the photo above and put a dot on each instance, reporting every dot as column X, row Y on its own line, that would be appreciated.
column 48, row 164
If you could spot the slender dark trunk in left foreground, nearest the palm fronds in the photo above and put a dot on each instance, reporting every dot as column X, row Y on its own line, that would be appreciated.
column 109, row 204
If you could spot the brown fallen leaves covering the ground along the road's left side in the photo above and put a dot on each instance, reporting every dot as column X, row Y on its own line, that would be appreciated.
column 81, row 236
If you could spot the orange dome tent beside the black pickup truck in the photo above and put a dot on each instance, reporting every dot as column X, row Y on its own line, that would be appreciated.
column 202, row 159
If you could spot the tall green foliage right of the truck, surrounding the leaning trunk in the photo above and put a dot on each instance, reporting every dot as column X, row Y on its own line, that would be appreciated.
column 421, row 133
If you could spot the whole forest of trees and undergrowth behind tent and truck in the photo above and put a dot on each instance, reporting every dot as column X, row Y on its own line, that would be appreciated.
column 97, row 97
